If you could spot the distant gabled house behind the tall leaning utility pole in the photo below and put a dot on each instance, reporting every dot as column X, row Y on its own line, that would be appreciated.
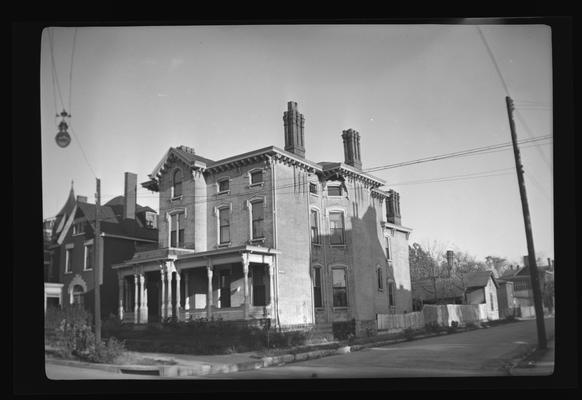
column 523, row 293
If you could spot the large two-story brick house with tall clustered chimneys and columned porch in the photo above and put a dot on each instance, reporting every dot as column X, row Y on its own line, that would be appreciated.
column 270, row 234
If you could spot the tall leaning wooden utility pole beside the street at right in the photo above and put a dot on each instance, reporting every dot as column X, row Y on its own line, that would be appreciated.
column 534, row 277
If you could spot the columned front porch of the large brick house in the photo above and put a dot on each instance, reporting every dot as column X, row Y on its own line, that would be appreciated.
column 226, row 284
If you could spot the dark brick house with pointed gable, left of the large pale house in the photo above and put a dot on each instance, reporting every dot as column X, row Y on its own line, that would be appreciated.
column 124, row 226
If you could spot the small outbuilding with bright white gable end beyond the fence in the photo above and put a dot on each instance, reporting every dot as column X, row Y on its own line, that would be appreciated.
column 481, row 288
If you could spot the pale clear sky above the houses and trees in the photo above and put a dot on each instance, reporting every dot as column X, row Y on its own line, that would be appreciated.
column 411, row 91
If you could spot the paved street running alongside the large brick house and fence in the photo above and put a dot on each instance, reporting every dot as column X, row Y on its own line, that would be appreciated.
column 482, row 352
